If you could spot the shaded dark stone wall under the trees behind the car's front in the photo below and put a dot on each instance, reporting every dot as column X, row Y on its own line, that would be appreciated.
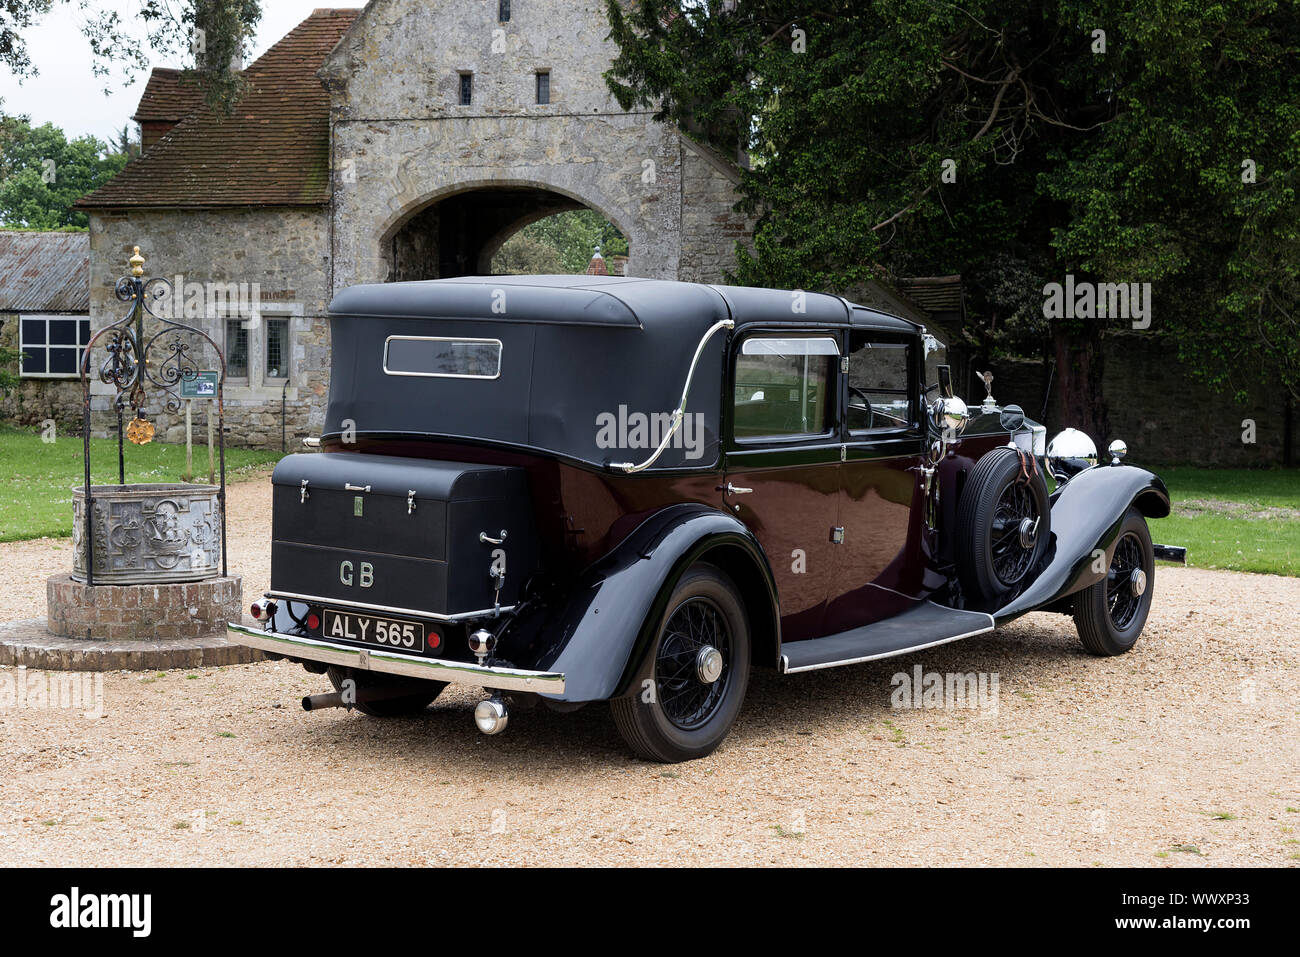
column 1165, row 415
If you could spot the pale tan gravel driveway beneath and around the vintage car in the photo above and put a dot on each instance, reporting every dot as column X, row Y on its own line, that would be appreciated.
column 1184, row 754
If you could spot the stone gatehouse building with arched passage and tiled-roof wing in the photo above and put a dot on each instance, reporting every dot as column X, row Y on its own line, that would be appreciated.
column 405, row 141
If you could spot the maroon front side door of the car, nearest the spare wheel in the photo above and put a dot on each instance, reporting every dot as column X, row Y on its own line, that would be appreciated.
column 881, row 566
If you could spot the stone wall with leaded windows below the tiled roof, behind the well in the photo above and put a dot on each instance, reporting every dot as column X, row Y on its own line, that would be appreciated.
column 280, row 256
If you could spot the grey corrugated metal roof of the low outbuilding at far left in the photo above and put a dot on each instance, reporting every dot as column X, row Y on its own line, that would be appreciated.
column 45, row 272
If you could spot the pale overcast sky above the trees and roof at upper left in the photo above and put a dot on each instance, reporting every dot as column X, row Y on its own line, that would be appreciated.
column 71, row 97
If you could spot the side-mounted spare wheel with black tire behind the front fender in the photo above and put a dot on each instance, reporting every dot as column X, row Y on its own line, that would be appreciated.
column 993, row 556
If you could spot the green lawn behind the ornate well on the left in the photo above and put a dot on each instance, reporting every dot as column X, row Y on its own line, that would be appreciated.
column 37, row 479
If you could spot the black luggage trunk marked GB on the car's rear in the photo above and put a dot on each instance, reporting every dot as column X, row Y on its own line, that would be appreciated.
column 400, row 532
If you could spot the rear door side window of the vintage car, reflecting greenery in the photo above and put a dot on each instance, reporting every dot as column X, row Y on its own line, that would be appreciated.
column 785, row 387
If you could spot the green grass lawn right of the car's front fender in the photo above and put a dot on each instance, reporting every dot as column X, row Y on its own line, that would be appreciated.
column 1234, row 518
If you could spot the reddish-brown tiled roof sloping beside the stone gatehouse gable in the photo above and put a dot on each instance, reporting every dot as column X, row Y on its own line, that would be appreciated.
column 272, row 151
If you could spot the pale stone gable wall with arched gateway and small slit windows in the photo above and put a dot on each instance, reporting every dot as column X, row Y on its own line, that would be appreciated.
column 404, row 144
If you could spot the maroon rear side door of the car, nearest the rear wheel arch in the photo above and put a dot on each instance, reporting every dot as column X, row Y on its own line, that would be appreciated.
column 783, row 461
